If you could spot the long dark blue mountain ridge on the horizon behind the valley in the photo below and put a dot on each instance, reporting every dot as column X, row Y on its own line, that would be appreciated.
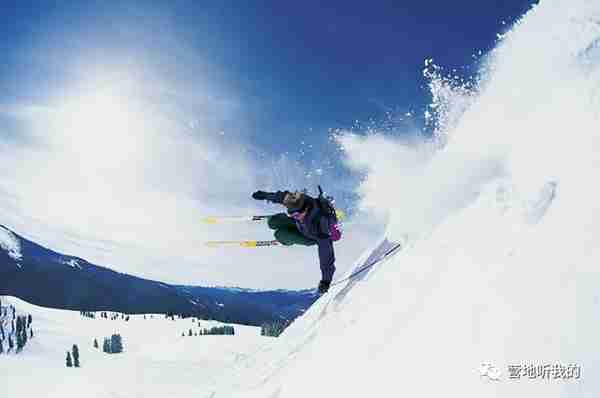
column 47, row 278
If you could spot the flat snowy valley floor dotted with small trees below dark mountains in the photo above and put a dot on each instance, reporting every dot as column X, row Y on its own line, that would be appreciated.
column 157, row 360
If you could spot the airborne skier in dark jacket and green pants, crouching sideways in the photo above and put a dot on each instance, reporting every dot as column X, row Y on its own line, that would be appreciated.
column 309, row 221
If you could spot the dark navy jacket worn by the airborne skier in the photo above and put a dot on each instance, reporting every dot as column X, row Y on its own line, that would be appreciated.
column 314, row 226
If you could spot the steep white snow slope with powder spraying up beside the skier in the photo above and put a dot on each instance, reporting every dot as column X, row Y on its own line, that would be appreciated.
column 500, row 216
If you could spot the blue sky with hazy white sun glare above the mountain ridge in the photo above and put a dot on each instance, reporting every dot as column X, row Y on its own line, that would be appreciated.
column 121, row 119
